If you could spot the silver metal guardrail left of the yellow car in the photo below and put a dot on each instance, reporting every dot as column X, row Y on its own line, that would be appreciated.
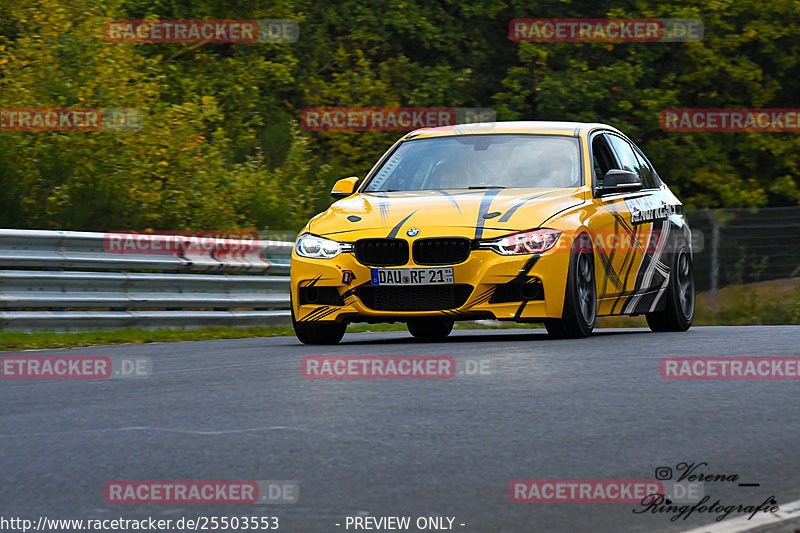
column 65, row 280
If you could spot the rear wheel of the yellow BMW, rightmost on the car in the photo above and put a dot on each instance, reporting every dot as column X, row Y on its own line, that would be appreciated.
column 678, row 311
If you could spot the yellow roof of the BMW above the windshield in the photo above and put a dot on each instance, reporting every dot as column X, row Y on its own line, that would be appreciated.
column 573, row 129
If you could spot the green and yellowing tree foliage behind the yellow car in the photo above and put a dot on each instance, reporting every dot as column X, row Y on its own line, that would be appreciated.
column 221, row 148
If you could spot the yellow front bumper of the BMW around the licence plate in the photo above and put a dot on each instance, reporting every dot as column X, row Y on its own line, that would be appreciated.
column 485, row 276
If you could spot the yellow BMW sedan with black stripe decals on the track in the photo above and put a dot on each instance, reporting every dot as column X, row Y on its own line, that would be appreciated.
column 553, row 222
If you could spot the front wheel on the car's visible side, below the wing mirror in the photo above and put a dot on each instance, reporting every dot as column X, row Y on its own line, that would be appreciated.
column 580, row 300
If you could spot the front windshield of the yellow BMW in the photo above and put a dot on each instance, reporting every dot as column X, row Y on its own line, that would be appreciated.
column 480, row 161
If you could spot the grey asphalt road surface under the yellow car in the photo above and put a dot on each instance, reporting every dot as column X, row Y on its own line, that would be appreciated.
column 241, row 410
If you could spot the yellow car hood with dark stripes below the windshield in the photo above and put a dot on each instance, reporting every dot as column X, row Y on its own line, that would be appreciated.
column 479, row 213
